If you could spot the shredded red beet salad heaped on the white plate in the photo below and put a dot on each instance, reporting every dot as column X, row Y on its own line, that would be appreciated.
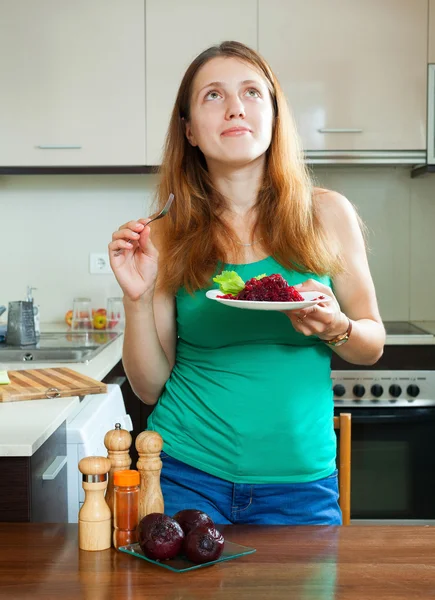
column 273, row 288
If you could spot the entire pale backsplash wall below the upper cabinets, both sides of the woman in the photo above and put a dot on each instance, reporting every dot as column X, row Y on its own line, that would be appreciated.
column 50, row 224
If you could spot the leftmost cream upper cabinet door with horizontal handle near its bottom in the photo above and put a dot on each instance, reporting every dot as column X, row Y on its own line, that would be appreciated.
column 72, row 83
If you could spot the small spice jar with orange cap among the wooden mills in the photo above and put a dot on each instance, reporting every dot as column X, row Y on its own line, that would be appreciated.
column 125, row 507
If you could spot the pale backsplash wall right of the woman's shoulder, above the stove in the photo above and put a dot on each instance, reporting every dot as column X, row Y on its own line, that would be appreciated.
column 400, row 215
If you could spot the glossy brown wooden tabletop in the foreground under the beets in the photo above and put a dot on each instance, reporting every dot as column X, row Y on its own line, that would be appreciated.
column 291, row 563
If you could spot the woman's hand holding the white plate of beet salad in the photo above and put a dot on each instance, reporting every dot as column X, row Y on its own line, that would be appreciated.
column 324, row 319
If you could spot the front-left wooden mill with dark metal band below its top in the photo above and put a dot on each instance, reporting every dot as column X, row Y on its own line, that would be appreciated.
column 95, row 529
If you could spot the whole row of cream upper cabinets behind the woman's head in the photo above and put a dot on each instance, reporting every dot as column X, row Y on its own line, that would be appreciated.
column 92, row 84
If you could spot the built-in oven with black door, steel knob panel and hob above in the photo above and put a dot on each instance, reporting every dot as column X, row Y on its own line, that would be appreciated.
column 392, row 405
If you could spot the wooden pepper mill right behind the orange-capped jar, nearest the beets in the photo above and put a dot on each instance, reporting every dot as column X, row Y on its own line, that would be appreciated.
column 149, row 444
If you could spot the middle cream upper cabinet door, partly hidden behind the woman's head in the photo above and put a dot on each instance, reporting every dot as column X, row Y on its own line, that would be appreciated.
column 176, row 32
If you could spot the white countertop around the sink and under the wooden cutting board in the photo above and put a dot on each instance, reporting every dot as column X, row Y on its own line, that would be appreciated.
column 25, row 426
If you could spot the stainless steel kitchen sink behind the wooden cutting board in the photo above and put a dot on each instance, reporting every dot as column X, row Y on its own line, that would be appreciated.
column 59, row 348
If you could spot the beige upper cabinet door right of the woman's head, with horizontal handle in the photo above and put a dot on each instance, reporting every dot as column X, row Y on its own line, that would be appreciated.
column 354, row 71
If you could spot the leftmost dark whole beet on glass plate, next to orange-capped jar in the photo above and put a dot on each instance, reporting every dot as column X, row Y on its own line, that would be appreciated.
column 160, row 537
